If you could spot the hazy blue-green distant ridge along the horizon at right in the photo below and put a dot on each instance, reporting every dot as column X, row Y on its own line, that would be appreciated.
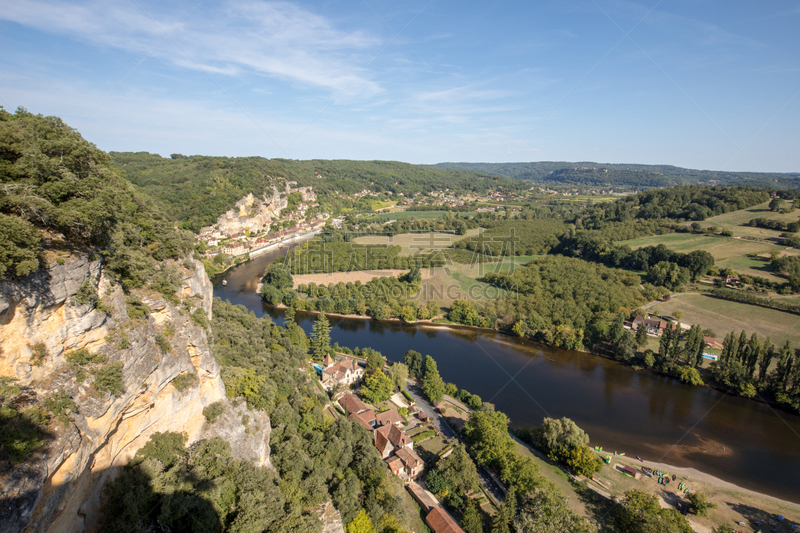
column 629, row 175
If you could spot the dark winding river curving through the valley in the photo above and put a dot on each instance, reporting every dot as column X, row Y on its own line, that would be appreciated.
column 636, row 412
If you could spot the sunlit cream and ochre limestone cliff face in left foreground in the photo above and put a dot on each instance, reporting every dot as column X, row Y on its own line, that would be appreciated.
column 60, row 487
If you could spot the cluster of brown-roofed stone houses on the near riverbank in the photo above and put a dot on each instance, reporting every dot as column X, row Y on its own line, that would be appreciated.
column 396, row 426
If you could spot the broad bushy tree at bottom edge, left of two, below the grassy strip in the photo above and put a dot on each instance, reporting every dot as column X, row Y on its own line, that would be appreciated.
column 547, row 511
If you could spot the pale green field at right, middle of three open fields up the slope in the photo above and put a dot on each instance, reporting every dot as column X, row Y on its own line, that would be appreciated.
column 729, row 252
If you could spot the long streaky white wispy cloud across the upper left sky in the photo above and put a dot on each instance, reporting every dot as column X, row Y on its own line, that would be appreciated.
column 276, row 39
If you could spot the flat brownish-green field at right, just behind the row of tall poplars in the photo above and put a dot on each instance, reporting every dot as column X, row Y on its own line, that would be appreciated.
column 722, row 317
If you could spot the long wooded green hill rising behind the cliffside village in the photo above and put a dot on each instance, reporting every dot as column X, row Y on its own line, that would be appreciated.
column 198, row 189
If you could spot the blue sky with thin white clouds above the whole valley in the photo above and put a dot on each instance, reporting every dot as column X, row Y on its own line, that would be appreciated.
column 701, row 83
